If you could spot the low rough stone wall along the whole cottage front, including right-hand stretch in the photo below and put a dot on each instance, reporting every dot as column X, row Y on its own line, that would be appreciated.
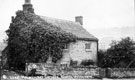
column 81, row 72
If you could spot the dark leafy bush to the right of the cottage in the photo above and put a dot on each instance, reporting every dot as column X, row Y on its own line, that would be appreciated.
column 119, row 55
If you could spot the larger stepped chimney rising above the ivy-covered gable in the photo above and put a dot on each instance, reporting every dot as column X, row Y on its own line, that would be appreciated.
column 28, row 7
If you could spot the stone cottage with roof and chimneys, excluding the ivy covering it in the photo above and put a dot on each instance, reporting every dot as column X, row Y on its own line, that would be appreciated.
column 86, row 46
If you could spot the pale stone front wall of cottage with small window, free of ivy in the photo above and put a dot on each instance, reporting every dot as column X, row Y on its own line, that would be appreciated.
column 79, row 51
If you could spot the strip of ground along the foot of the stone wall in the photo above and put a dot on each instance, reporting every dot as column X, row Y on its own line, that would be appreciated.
column 11, row 75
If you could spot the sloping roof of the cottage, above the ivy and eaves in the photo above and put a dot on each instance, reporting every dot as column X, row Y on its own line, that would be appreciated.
column 69, row 26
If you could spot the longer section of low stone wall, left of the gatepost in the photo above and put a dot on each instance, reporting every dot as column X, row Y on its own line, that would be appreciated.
column 67, row 72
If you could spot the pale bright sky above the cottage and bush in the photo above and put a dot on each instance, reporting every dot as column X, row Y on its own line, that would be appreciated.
column 106, row 19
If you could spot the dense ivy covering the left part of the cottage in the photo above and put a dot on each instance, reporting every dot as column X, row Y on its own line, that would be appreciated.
column 32, row 39
